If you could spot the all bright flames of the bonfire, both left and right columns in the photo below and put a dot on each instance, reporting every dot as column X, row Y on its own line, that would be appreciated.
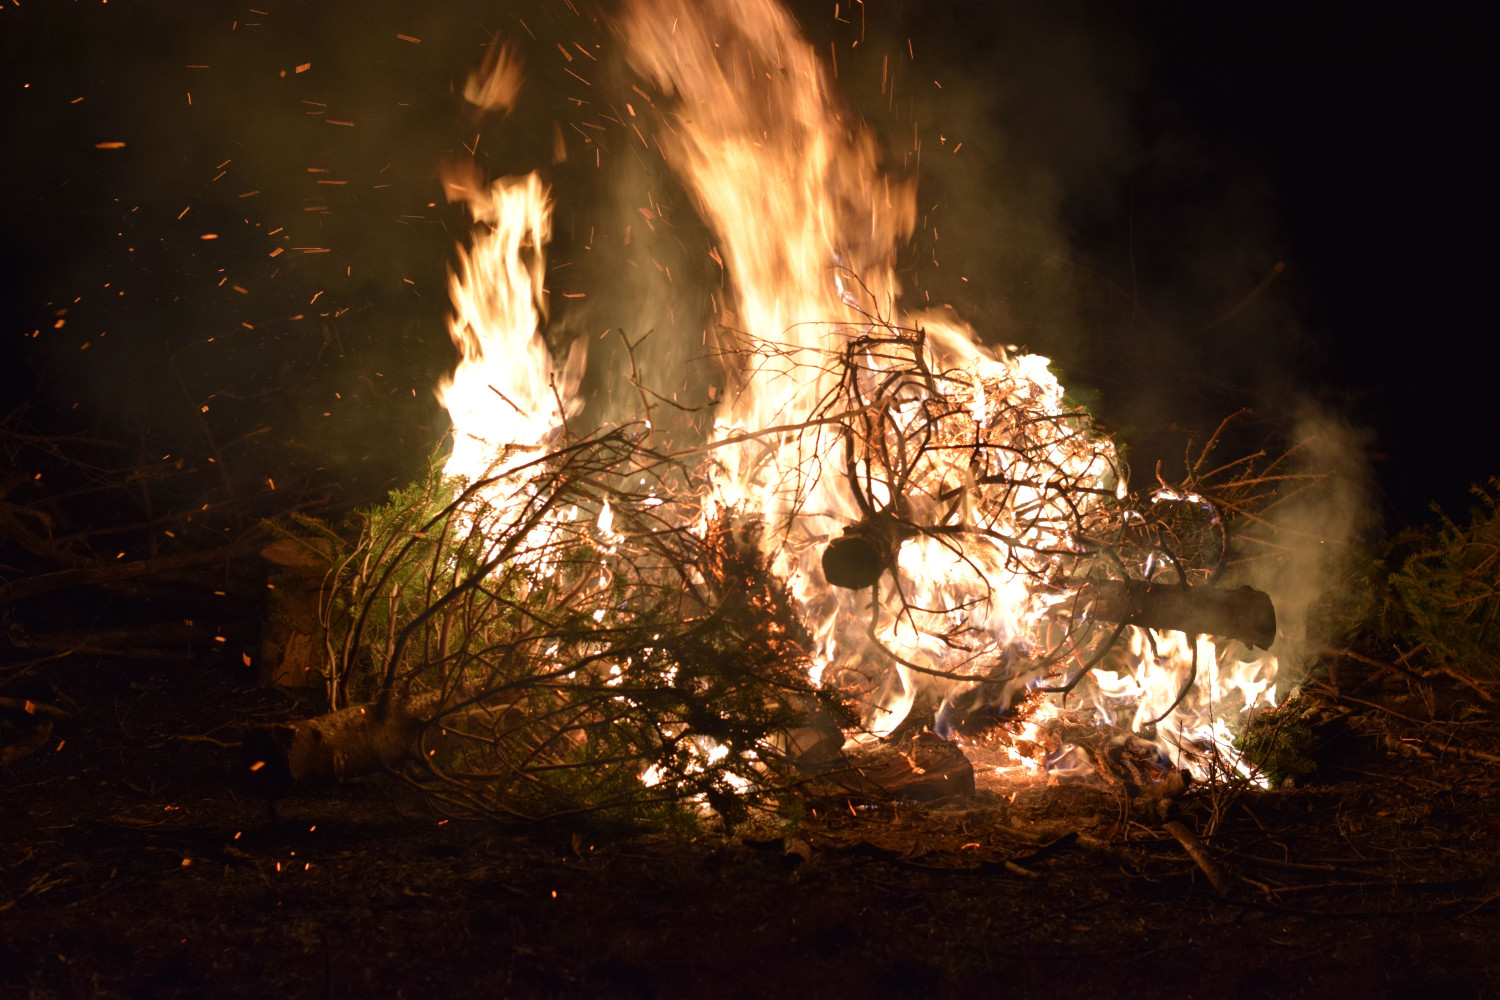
column 845, row 418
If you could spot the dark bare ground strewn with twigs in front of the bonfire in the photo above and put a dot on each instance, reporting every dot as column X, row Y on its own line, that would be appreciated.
column 131, row 866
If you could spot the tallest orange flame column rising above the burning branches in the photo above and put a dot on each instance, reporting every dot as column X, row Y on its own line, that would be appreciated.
column 791, row 188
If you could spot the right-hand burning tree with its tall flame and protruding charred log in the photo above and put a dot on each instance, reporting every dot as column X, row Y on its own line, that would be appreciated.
column 995, row 510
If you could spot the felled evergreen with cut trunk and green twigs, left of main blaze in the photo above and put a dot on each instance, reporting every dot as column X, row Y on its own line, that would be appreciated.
column 560, row 638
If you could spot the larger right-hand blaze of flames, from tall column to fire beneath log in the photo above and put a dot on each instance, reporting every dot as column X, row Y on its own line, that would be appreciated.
column 809, row 226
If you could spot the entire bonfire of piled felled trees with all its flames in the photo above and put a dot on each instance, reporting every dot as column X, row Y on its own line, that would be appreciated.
column 889, row 525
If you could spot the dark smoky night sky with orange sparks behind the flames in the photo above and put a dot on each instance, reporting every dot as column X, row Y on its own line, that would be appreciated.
column 1130, row 176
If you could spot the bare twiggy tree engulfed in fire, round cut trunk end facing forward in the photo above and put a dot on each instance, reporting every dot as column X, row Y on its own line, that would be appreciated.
column 991, row 525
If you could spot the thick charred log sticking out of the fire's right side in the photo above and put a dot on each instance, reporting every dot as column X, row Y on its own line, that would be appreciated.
column 1243, row 612
